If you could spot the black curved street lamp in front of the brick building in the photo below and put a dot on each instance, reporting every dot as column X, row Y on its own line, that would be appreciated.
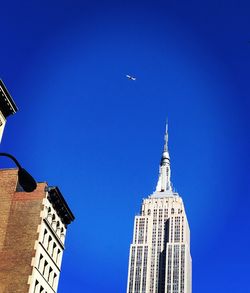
column 26, row 181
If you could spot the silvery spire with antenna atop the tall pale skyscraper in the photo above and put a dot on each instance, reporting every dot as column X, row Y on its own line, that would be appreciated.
column 164, row 183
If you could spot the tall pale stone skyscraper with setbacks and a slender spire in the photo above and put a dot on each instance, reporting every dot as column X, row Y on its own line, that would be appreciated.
column 160, row 260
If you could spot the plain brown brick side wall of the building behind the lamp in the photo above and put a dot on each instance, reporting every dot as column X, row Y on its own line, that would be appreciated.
column 19, row 220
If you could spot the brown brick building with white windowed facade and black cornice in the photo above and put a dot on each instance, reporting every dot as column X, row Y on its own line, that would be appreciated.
column 32, row 234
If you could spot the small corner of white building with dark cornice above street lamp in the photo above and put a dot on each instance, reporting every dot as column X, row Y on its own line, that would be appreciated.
column 7, row 107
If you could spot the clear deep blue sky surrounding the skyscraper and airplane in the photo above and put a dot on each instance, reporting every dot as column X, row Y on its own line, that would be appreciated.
column 98, row 136
